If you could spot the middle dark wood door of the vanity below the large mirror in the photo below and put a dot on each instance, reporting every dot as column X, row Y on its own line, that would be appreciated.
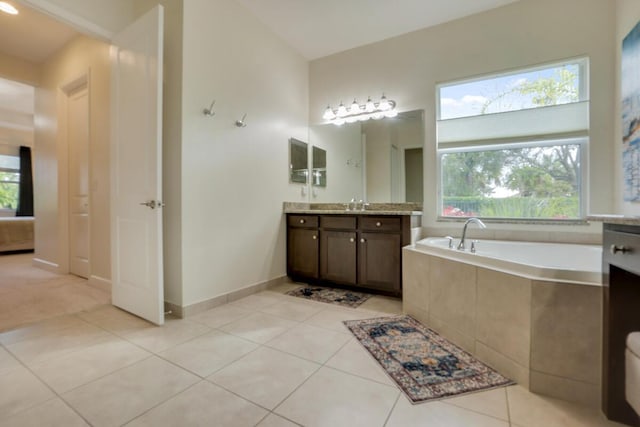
column 338, row 256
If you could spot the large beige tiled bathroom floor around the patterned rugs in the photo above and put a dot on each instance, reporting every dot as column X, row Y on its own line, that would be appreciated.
column 268, row 360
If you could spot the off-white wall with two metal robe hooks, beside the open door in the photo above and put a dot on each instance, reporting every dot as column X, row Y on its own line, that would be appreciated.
column 234, row 180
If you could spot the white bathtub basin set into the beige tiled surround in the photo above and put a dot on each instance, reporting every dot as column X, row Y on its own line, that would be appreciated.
column 558, row 262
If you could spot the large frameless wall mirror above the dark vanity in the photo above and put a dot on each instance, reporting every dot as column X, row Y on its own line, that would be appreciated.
column 379, row 161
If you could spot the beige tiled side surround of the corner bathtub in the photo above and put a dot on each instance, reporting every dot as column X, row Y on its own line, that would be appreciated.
column 544, row 334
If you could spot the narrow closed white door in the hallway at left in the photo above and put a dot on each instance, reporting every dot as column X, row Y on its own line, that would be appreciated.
column 78, row 140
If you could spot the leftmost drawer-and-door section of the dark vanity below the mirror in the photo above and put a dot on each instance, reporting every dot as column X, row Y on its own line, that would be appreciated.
column 302, row 246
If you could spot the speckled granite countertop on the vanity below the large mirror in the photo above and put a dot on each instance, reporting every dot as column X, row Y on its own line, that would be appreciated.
column 340, row 209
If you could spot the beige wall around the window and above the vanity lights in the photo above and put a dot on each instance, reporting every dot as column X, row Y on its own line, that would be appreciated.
column 528, row 32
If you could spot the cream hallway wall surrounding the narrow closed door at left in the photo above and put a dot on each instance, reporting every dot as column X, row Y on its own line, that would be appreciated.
column 81, row 55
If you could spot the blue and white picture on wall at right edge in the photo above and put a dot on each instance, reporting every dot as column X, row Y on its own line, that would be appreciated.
column 631, row 114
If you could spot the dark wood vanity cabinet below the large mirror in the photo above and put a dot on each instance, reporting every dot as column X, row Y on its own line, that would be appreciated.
column 357, row 250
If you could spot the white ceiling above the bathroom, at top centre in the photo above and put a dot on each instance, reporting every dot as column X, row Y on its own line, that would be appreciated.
column 318, row 28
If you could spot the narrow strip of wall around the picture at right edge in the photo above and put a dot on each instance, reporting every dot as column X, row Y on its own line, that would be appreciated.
column 628, row 15
